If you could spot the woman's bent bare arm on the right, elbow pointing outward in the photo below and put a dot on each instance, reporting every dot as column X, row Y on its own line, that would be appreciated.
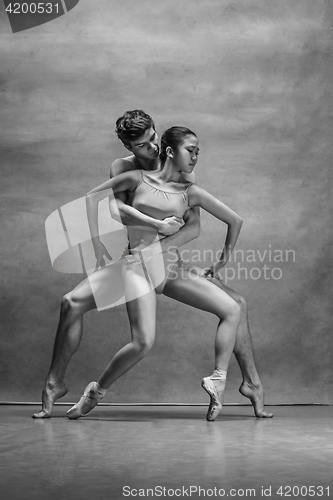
column 200, row 197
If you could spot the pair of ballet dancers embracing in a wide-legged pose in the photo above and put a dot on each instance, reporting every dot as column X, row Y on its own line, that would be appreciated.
column 156, row 192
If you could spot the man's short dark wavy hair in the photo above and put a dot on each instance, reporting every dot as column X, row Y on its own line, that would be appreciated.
column 132, row 125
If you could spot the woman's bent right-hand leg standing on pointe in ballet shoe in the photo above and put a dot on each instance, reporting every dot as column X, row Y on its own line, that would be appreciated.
column 189, row 288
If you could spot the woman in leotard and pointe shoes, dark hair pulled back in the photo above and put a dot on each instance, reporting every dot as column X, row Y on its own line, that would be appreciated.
column 147, row 271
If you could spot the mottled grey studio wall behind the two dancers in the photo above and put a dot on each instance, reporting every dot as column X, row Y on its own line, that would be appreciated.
column 253, row 79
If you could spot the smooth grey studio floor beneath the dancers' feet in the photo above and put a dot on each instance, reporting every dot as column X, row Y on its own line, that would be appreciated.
column 122, row 452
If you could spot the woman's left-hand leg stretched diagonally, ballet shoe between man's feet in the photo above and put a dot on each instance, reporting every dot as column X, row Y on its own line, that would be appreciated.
column 141, row 308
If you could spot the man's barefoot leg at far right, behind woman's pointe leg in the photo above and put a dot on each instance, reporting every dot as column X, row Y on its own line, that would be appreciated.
column 251, row 386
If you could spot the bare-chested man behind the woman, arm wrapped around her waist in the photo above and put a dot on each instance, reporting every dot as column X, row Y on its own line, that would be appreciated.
column 136, row 130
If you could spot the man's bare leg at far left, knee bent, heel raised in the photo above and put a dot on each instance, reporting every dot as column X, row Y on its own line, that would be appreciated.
column 68, row 337
